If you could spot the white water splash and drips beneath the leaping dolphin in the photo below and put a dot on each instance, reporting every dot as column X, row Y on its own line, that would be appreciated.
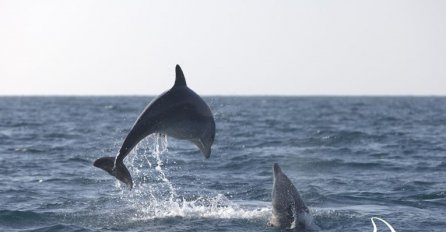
column 154, row 195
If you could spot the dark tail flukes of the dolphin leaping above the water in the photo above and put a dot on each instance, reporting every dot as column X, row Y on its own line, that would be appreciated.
column 117, row 169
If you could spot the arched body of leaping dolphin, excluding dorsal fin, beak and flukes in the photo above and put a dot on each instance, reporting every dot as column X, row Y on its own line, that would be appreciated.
column 178, row 112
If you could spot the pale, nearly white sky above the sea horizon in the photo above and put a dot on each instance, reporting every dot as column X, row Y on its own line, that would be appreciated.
column 238, row 47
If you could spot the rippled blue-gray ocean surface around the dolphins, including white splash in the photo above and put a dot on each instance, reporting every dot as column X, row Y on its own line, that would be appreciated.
column 351, row 158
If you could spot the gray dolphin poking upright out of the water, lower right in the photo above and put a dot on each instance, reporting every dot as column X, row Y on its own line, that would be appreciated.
column 289, row 210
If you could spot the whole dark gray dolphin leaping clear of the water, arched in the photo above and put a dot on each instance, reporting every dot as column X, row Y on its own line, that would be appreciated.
column 179, row 112
